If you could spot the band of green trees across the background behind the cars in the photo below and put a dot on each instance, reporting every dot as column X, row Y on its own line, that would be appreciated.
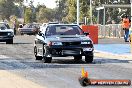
column 65, row 11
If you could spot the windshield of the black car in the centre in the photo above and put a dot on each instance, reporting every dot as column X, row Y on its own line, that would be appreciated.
column 63, row 30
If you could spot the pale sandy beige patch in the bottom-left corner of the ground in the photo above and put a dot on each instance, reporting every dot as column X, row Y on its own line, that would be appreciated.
column 9, row 80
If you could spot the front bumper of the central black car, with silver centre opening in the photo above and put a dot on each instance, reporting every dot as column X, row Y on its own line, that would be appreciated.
column 71, row 50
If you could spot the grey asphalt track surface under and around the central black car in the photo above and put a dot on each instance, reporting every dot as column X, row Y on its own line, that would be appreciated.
column 18, row 59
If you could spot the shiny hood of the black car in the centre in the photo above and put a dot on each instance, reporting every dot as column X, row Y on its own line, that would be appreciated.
column 68, row 38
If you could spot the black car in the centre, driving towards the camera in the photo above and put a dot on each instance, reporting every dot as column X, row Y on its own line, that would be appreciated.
column 59, row 40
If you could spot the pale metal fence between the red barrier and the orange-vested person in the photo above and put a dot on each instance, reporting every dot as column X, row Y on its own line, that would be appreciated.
column 110, row 30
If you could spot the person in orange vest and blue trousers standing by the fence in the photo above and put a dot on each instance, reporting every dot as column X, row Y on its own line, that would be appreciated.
column 126, row 25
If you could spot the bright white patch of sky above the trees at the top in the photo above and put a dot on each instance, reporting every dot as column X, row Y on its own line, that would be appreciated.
column 48, row 3
